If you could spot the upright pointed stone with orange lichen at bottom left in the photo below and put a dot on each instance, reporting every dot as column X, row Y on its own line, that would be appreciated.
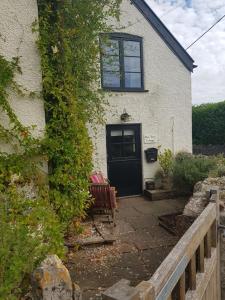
column 52, row 281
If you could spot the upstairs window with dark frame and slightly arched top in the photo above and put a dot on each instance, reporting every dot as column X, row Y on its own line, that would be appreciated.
column 122, row 63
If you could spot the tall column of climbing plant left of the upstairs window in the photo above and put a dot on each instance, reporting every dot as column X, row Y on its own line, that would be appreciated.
column 69, row 47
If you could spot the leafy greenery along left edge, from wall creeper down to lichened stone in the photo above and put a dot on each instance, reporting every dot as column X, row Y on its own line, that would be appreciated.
column 27, row 225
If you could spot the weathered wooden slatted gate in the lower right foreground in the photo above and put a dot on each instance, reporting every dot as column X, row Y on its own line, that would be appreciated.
column 190, row 271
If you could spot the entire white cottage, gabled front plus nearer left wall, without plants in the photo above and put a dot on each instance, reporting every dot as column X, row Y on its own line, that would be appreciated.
column 146, row 69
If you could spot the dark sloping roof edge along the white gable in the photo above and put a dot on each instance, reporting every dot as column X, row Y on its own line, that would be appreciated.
column 164, row 33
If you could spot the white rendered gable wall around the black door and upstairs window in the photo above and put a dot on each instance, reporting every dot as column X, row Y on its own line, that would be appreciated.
column 165, row 110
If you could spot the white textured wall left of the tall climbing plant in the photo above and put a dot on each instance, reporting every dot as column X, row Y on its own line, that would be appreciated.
column 17, row 39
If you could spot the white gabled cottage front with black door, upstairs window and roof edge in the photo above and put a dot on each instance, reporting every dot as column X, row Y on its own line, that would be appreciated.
column 149, row 74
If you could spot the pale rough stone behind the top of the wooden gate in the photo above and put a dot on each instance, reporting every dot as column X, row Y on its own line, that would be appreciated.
column 201, row 195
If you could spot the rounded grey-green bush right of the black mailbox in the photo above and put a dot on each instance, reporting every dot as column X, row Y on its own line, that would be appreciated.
column 188, row 170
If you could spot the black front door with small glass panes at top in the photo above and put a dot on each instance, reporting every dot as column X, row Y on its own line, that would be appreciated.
column 124, row 158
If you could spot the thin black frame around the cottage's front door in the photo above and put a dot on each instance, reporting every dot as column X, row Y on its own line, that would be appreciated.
column 141, row 154
